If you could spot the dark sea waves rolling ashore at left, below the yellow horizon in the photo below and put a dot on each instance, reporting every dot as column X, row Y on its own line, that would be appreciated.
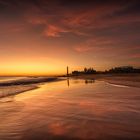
column 21, row 84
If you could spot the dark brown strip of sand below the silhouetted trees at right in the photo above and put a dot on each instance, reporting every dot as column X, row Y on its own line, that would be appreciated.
column 120, row 79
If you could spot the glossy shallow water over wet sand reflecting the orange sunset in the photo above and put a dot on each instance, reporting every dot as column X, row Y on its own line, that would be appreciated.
column 72, row 109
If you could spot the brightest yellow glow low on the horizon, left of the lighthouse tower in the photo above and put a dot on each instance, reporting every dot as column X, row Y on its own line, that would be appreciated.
column 32, row 69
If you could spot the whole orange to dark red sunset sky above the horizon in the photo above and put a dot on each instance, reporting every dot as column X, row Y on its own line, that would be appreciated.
column 42, row 37
